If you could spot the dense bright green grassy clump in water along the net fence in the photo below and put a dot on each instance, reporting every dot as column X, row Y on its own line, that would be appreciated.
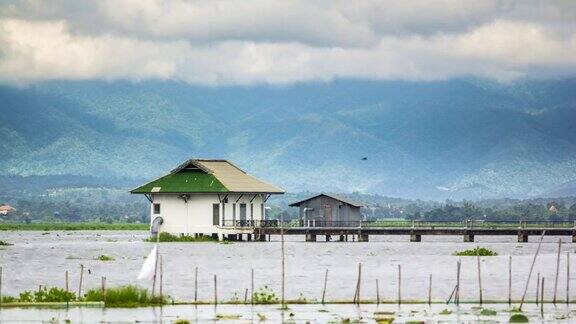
column 125, row 296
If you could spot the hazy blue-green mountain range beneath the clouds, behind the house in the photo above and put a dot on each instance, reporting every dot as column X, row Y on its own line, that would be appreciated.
column 465, row 138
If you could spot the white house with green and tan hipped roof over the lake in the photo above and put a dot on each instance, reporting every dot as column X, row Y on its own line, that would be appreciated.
column 207, row 197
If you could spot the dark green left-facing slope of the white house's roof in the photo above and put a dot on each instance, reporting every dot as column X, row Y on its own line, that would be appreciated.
column 182, row 182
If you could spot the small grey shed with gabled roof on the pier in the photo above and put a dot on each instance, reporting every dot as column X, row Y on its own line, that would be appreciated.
column 329, row 210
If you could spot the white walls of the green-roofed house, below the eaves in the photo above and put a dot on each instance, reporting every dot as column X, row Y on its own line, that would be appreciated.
column 196, row 215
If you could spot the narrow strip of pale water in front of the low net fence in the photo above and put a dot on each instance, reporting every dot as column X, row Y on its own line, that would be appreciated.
column 295, row 313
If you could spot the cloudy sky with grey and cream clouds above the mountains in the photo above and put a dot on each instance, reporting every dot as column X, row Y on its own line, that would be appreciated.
column 218, row 42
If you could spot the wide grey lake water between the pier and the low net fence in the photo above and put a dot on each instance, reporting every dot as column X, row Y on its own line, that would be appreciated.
column 42, row 258
